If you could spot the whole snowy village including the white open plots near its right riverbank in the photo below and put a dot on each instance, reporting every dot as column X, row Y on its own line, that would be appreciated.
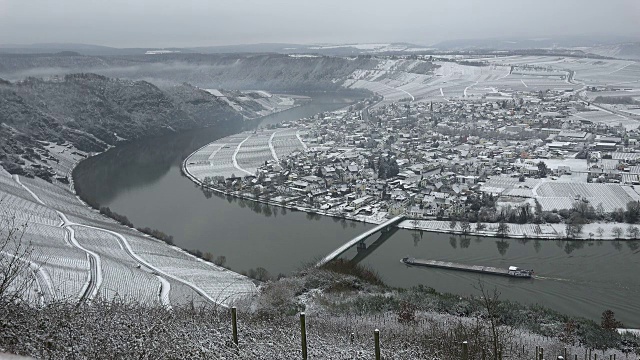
column 535, row 153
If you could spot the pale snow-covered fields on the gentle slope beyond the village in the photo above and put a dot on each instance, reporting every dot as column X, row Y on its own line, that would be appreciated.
column 395, row 80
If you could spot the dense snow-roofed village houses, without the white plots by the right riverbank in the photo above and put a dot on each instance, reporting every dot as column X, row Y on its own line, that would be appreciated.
column 426, row 160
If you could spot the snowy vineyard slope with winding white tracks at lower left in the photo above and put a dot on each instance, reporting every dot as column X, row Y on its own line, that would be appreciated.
column 79, row 254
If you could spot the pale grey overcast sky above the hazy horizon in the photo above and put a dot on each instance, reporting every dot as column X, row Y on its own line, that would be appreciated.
column 168, row 23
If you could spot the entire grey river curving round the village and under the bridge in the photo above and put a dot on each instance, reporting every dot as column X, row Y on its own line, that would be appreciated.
column 142, row 180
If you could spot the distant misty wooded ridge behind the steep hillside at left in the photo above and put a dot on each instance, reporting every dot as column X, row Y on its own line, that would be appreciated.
column 275, row 72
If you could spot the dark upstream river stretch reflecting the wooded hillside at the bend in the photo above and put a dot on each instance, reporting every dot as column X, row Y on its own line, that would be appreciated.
column 138, row 164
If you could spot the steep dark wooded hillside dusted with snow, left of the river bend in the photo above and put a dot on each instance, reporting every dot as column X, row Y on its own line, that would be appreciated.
column 91, row 112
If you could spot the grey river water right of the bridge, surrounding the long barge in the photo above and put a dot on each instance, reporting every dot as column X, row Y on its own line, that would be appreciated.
column 576, row 277
